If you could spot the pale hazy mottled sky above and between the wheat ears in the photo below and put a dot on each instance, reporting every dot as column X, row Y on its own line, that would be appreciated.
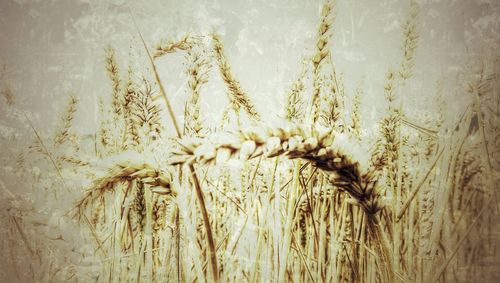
column 54, row 48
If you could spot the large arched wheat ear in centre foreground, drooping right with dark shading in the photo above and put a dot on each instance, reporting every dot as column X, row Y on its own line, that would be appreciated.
column 321, row 146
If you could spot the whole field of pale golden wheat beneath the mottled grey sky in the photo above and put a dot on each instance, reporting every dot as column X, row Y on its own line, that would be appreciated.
column 162, row 191
